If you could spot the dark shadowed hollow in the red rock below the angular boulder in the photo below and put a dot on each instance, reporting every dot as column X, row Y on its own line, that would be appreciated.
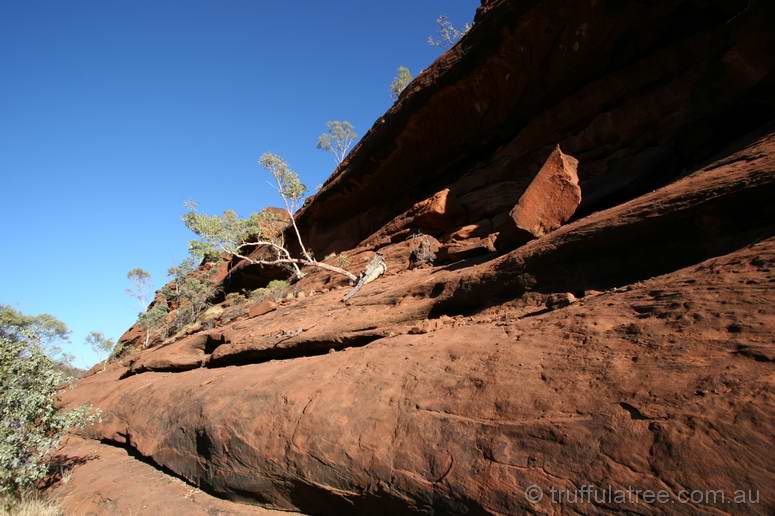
column 712, row 218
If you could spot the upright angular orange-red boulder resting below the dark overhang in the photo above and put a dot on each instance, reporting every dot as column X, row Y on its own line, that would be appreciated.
column 551, row 198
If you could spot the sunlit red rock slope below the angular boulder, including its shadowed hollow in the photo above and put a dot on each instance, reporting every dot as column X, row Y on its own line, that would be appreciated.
column 662, row 384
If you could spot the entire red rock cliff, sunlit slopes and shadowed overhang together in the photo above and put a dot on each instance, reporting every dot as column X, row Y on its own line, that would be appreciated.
column 627, row 343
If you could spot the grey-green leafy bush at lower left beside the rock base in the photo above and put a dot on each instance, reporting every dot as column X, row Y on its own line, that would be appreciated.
column 31, row 425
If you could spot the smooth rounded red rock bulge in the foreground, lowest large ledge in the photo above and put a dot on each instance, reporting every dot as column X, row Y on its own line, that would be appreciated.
column 646, row 387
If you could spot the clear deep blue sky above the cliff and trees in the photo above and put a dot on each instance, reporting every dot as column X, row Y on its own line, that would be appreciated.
column 115, row 112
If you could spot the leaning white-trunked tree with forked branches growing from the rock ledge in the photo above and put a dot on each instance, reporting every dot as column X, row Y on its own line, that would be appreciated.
column 233, row 235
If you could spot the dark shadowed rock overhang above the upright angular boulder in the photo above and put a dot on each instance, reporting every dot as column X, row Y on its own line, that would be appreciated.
column 638, row 93
